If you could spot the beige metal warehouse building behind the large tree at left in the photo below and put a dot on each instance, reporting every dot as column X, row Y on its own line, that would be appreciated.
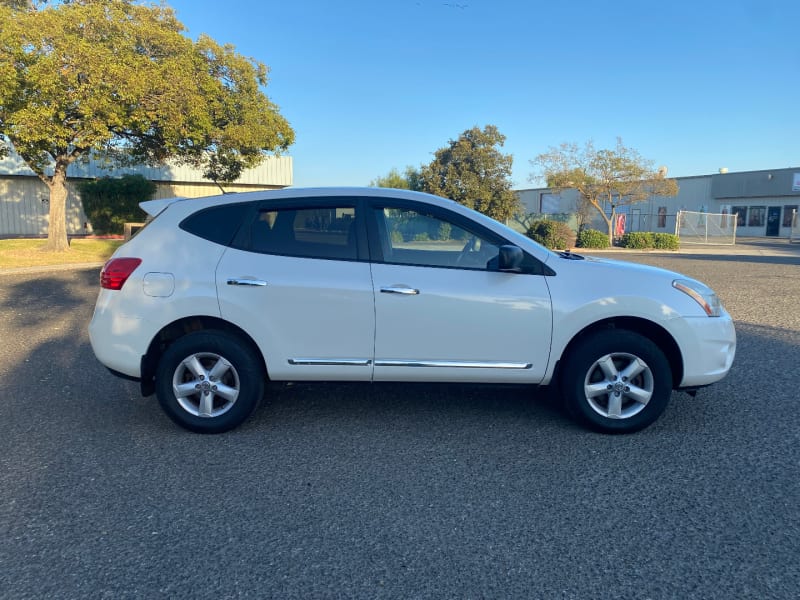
column 24, row 199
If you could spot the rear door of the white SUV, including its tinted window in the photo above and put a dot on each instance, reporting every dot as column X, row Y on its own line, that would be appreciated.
column 298, row 281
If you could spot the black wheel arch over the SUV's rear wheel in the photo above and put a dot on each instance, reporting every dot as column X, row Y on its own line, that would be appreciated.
column 179, row 328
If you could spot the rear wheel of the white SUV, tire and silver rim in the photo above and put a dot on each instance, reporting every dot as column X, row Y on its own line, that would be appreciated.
column 221, row 377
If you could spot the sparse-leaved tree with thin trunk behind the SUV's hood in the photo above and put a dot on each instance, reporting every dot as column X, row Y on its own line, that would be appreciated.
column 605, row 179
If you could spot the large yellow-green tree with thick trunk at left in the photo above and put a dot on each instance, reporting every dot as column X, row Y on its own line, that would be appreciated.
column 119, row 78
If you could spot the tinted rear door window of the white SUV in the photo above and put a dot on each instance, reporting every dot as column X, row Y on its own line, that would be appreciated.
column 327, row 232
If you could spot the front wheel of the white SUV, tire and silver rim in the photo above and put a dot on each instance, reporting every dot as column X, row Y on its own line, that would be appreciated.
column 597, row 391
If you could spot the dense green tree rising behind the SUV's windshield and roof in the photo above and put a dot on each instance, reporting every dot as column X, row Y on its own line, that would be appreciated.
column 472, row 170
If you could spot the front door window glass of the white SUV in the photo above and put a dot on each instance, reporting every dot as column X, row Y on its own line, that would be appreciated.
column 413, row 238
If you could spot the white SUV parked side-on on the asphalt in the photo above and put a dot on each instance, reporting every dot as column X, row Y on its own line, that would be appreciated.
column 216, row 295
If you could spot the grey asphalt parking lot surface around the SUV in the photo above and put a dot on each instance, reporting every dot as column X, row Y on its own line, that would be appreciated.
column 398, row 491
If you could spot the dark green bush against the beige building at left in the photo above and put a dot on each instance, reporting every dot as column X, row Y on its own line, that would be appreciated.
column 109, row 203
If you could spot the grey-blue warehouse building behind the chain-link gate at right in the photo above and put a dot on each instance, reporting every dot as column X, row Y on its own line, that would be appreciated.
column 764, row 202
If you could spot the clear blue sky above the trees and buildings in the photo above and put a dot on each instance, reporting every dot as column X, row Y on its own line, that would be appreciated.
column 368, row 86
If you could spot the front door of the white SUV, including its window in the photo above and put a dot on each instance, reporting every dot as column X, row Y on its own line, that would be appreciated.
column 443, row 313
